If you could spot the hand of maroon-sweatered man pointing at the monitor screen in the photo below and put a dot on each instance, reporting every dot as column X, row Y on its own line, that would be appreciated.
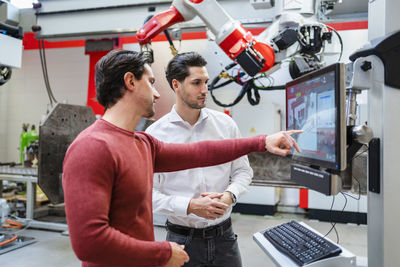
column 280, row 143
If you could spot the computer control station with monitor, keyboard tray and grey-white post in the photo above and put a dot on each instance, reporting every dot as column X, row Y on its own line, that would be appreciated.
column 312, row 104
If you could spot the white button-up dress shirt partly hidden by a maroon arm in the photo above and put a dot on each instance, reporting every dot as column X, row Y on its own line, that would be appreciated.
column 173, row 191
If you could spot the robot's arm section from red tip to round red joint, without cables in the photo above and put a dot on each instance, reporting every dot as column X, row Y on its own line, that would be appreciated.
column 237, row 42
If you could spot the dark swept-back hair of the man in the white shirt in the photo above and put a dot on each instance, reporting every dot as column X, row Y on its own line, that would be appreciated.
column 178, row 67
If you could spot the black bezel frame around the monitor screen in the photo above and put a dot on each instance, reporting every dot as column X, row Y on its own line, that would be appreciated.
column 340, row 91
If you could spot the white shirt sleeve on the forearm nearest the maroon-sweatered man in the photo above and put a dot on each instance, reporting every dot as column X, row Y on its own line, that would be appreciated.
column 166, row 204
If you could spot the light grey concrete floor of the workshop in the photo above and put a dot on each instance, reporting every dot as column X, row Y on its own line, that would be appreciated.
column 53, row 249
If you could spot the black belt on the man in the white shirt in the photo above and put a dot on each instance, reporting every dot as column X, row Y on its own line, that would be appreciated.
column 209, row 232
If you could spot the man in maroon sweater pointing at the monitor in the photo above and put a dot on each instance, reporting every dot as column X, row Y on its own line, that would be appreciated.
column 108, row 169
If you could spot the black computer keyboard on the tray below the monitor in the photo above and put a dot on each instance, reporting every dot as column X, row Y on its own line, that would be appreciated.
column 300, row 243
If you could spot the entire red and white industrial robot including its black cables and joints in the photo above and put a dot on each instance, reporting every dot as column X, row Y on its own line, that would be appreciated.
column 291, row 36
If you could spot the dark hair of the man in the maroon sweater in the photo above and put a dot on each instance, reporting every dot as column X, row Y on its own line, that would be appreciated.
column 110, row 71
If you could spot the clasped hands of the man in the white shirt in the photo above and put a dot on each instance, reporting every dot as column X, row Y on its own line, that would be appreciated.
column 208, row 207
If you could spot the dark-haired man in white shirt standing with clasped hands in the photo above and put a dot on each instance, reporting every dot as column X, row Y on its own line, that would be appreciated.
column 198, row 202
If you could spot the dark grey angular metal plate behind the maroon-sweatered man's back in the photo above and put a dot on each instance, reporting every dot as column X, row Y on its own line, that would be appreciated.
column 56, row 133
